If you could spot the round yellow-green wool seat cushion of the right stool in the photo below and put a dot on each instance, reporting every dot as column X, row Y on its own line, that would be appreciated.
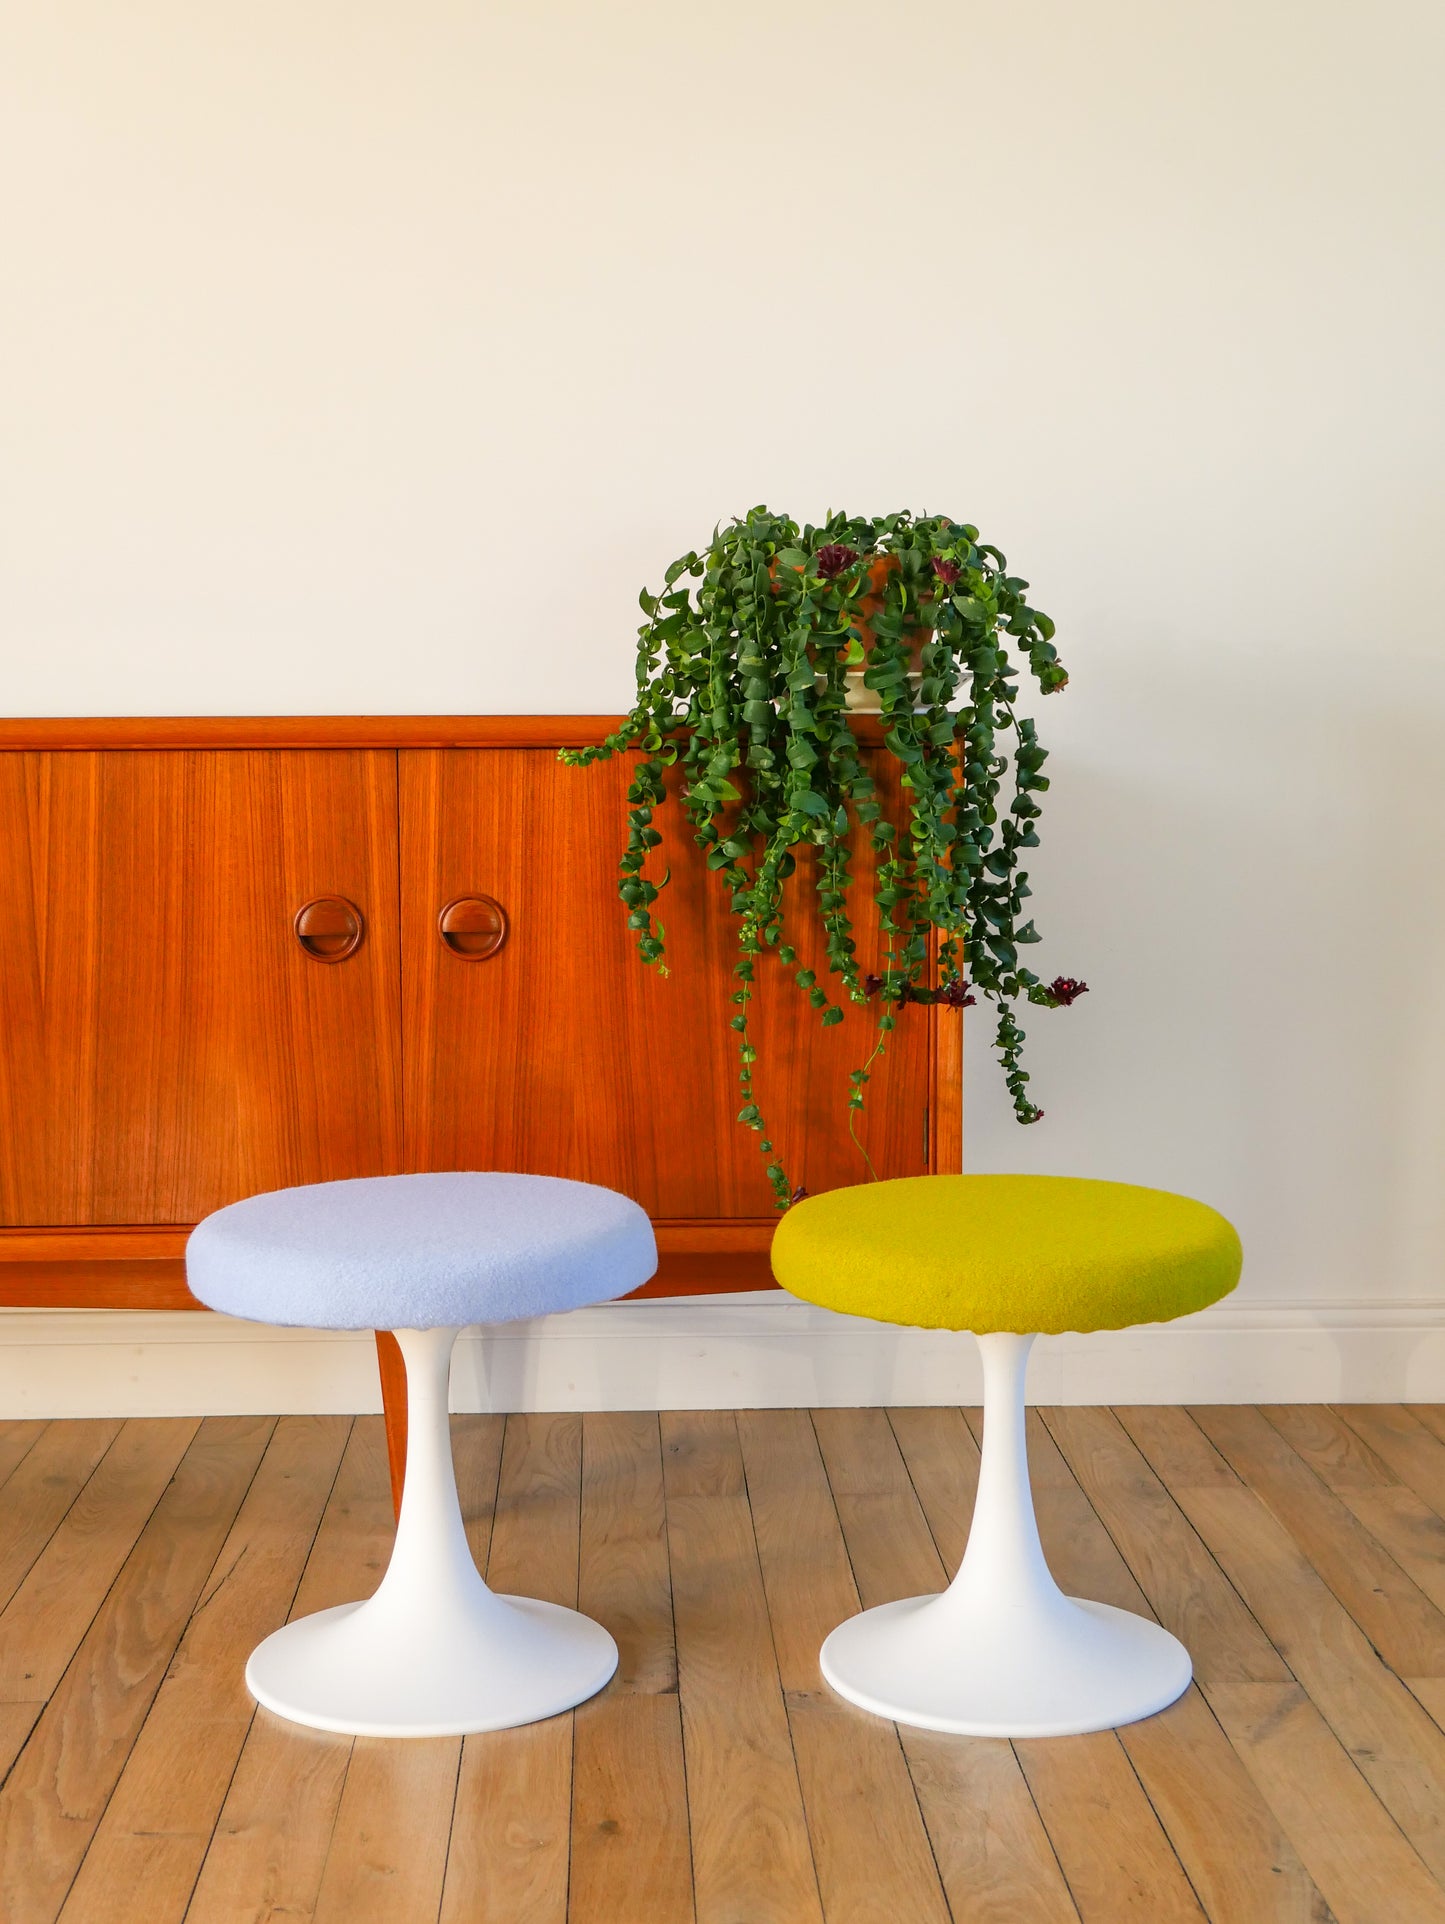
column 1025, row 1253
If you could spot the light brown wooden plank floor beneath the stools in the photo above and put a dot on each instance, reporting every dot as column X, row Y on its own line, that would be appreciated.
column 1300, row 1554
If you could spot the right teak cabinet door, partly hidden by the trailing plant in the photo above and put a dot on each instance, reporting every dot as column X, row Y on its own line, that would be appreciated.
column 563, row 1055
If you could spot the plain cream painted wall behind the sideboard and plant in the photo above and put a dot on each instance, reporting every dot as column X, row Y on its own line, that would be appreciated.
column 370, row 357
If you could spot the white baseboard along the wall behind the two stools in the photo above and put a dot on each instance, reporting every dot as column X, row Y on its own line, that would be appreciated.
column 746, row 1352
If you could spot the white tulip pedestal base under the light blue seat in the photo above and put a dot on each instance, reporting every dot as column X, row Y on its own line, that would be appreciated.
column 434, row 1652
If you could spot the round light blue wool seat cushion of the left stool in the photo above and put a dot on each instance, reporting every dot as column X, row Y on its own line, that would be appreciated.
column 420, row 1252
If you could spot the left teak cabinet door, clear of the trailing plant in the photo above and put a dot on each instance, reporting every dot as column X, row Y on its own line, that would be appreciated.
column 168, row 1046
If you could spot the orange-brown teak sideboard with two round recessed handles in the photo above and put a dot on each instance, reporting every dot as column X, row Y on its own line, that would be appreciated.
column 251, row 953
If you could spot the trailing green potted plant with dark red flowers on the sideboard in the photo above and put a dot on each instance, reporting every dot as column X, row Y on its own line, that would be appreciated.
column 749, row 667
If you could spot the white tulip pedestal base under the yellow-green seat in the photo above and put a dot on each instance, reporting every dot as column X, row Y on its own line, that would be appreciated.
column 1003, row 1652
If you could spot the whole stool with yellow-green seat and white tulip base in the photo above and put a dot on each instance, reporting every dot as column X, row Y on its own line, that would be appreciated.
column 1003, row 1652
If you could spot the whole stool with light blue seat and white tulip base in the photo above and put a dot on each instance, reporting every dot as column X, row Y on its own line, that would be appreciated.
column 434, row 1652
